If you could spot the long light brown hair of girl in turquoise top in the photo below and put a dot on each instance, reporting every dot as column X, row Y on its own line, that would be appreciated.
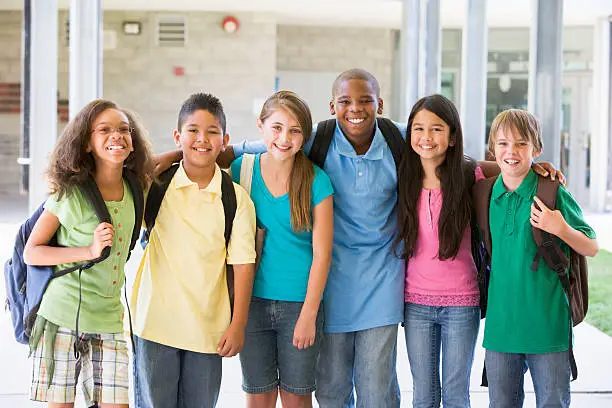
column 302, row 173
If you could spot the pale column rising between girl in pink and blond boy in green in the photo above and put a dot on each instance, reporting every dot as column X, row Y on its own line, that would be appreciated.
column 473, row 100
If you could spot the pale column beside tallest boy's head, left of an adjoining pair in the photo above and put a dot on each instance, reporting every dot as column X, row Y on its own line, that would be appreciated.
column 409, row 54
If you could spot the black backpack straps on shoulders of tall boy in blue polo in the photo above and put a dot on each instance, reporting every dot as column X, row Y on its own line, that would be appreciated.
column 325, row 134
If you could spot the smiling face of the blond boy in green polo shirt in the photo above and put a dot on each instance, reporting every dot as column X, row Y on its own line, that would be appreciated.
column 514, row 154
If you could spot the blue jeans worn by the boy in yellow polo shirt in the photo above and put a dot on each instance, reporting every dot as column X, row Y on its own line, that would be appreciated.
column 173, row 378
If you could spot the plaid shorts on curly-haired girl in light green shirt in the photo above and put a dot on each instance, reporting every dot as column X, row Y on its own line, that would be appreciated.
column 102, row 365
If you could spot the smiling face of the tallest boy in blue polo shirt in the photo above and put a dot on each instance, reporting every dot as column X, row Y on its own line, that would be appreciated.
column 355, row 104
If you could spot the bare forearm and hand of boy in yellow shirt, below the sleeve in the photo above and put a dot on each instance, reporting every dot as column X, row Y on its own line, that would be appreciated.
column 233, row 339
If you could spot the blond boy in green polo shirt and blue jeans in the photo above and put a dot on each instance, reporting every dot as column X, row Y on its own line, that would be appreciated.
column 527, row 325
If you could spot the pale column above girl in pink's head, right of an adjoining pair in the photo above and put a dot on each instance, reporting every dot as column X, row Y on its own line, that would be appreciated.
column 432, row 35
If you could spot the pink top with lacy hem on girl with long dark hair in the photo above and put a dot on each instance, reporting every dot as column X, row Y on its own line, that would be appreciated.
column 430, row 281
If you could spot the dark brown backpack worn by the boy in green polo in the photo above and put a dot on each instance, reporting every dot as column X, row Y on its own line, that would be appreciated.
column 574, row 283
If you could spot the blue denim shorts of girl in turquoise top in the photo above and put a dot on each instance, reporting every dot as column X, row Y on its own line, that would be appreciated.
column 269, row 359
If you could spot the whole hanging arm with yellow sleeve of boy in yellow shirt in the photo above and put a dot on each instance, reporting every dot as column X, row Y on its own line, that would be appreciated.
column 240, row 254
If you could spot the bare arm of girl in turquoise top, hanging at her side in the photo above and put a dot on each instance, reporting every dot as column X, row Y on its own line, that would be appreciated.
column 322, row 242
